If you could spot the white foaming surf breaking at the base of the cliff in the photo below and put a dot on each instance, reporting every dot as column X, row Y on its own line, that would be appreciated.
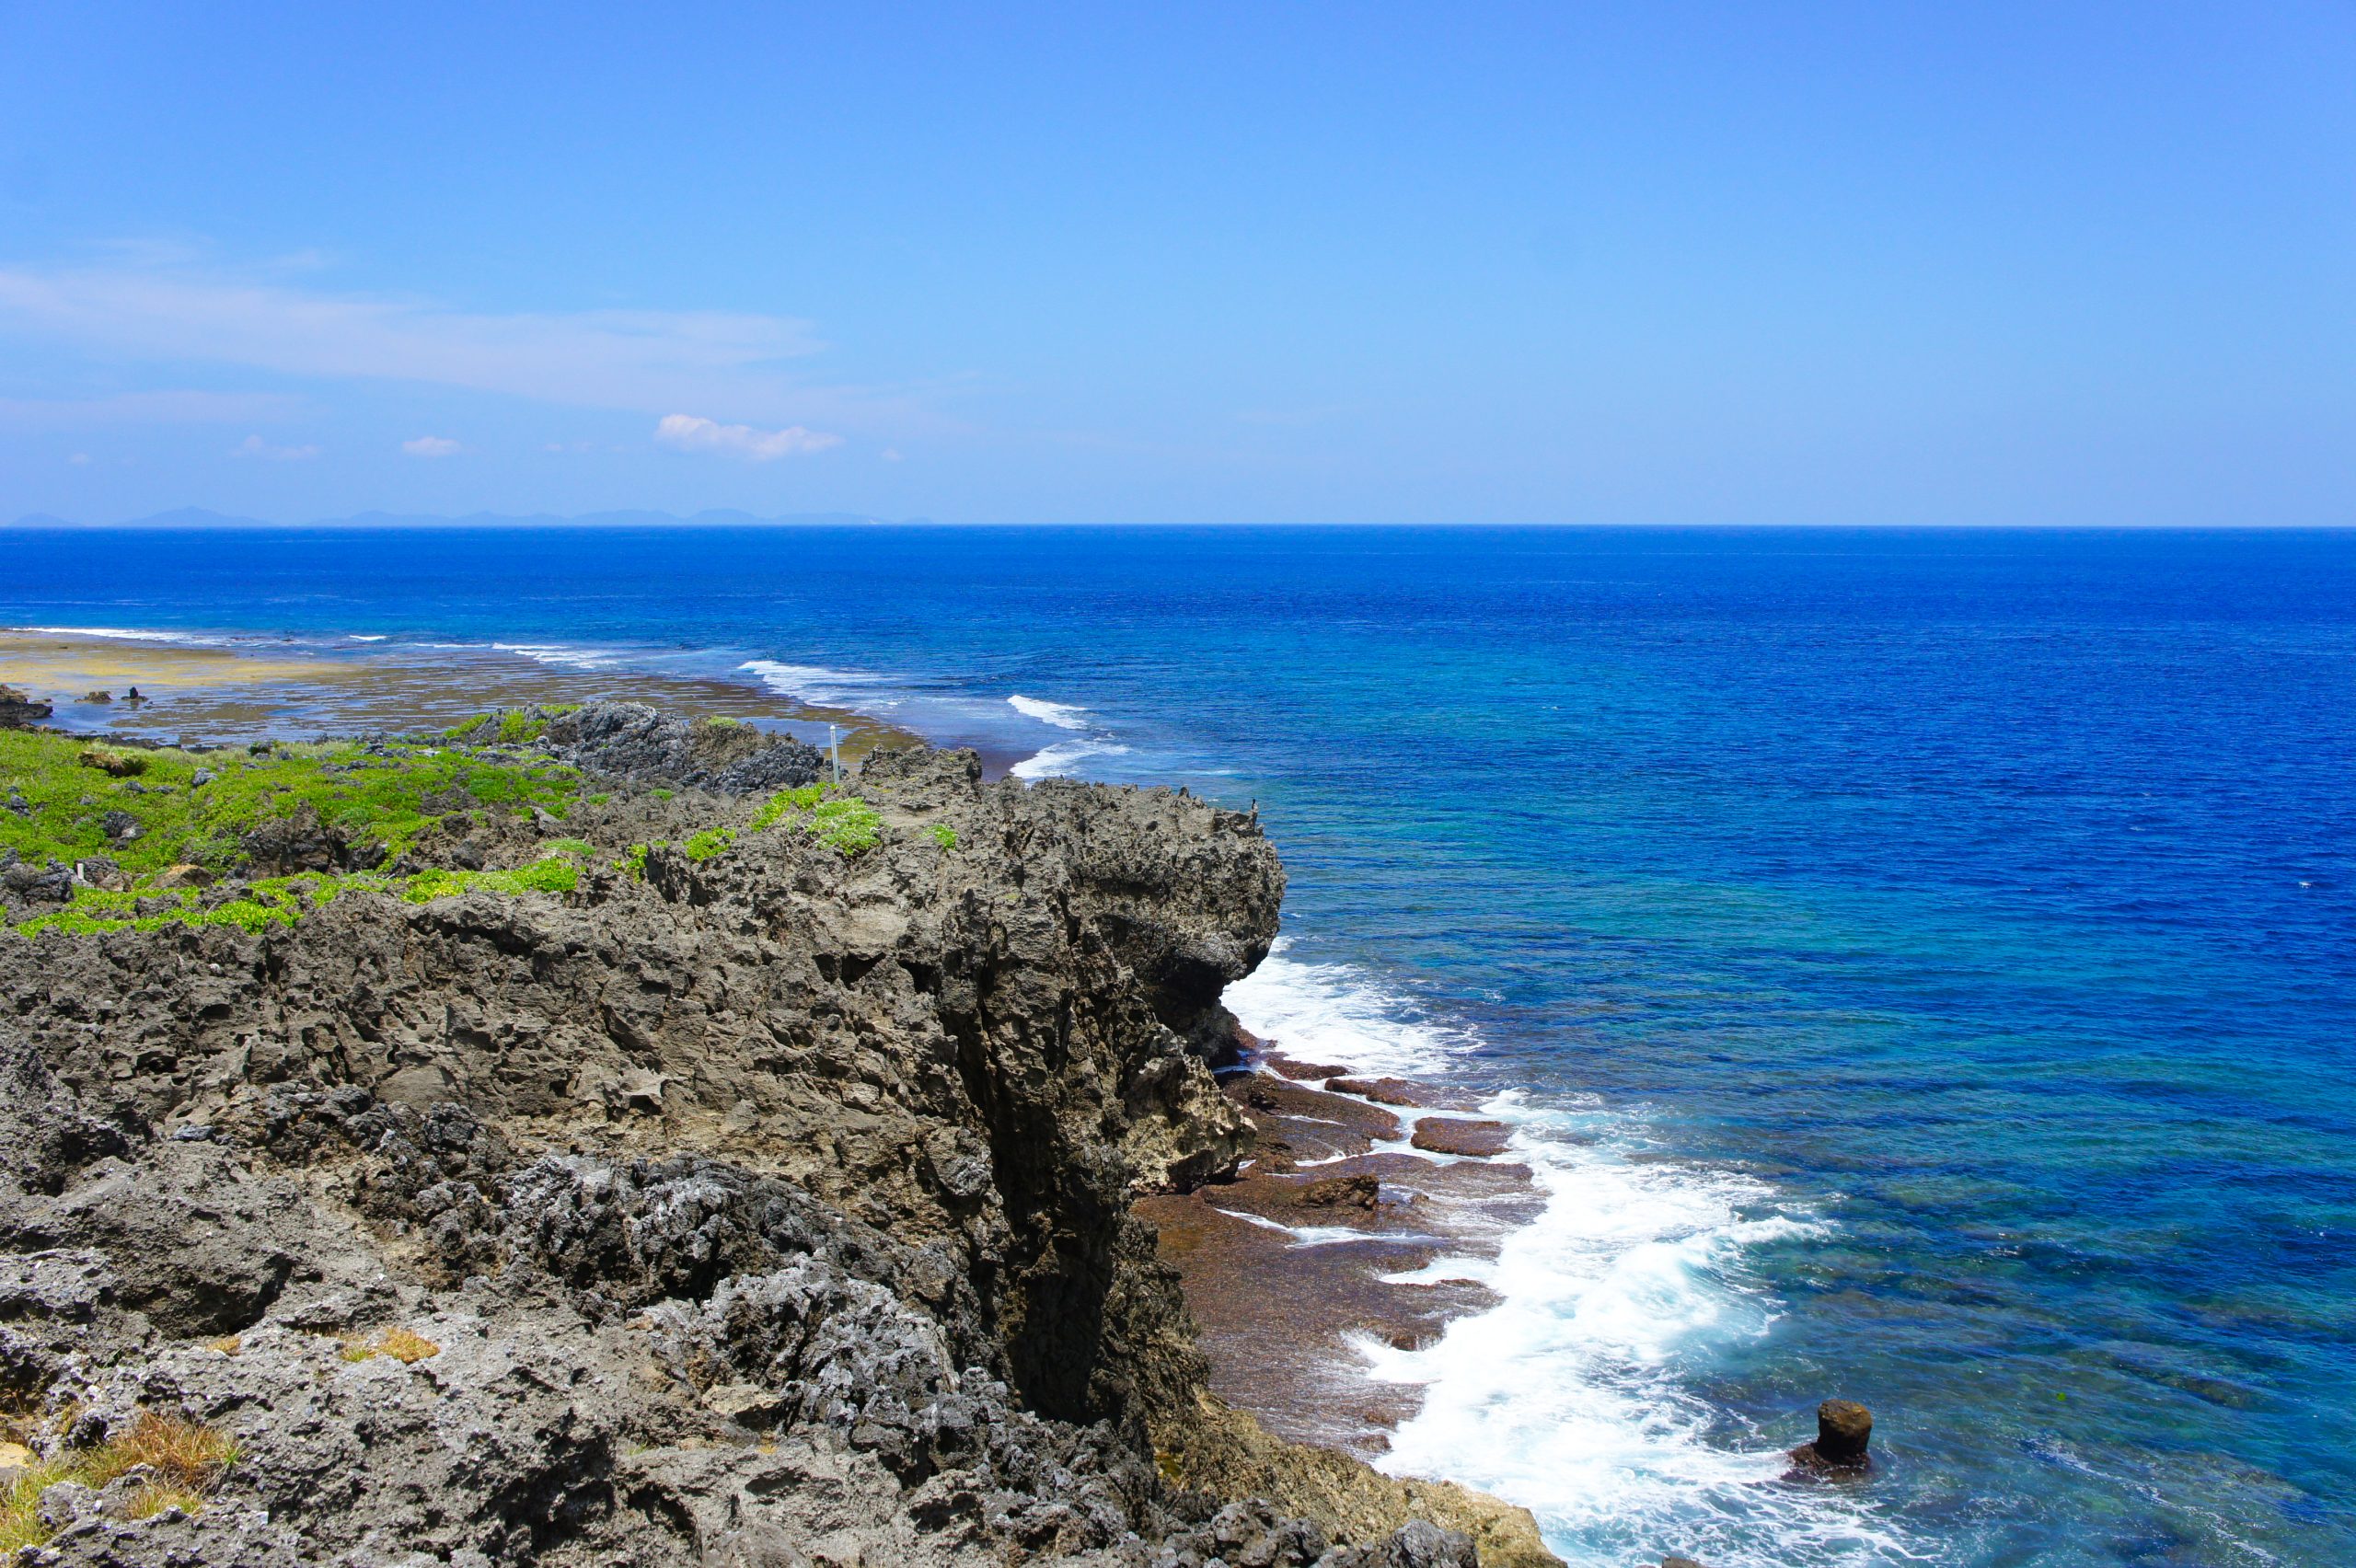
column 1573, row 1395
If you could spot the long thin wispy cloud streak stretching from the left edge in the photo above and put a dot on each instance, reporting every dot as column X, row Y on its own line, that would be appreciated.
column 644, row 361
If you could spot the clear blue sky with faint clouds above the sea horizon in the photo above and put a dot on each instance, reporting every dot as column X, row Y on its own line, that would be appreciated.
column 1222, row 265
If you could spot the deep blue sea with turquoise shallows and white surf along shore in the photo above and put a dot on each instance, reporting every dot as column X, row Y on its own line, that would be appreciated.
column 1926, row 962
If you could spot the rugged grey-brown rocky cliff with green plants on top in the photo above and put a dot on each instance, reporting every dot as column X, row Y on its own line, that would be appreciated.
column 760, row 1181
